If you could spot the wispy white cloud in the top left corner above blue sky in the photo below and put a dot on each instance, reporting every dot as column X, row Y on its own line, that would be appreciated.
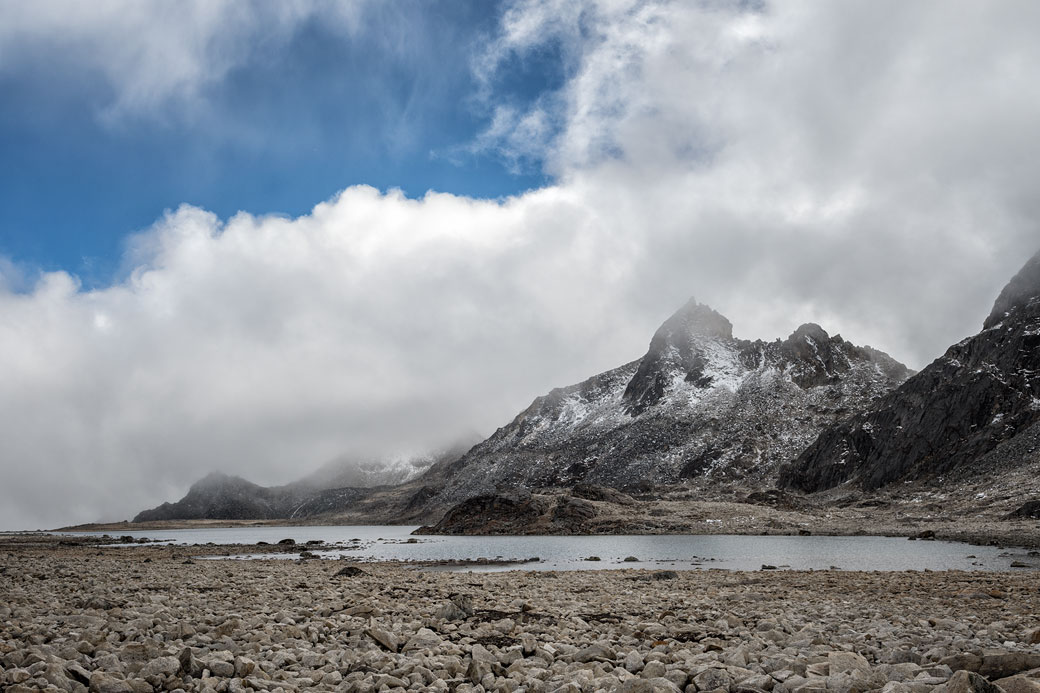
column 160, row 55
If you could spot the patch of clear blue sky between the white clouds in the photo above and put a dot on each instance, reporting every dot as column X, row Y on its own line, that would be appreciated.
column 395, row 106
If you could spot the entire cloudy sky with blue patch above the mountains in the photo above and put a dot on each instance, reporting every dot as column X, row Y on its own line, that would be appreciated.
column 206, row 266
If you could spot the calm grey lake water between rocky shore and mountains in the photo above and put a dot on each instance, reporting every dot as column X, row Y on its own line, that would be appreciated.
column 671, row 552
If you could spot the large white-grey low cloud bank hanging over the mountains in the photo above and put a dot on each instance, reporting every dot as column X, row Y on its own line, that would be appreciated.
column 868, row 166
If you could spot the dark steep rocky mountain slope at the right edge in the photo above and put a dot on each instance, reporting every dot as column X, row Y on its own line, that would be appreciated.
column 967, row 414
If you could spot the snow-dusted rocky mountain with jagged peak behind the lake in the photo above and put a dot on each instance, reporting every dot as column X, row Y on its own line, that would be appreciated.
column 699, row 404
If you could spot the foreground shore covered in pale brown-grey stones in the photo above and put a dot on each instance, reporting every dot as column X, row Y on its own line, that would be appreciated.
column 83, row 618
